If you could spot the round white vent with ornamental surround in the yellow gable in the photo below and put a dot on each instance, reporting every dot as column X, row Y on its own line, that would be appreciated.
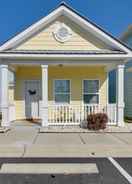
column 62, row 33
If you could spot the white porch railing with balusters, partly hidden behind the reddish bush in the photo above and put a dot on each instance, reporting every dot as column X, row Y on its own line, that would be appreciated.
column 76, row 114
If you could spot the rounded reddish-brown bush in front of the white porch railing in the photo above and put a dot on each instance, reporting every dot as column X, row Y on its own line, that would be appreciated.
column 97, row 121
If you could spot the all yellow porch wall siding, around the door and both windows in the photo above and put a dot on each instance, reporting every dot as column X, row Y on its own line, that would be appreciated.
column 75, row 74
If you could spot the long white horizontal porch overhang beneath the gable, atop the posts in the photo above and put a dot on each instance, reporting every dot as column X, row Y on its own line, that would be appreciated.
column 69, row 57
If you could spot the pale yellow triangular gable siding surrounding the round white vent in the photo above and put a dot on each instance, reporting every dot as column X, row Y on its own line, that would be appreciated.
column 45, row 40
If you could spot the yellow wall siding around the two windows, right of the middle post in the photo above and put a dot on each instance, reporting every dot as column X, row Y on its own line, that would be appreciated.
column 76, row 75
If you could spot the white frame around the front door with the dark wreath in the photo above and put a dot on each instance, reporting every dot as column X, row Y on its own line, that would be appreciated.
column 28, row 80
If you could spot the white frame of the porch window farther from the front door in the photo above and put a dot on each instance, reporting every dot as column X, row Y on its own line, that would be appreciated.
column 90, row 93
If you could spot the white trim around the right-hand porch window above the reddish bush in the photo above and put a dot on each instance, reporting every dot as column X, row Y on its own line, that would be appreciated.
column 90, row 93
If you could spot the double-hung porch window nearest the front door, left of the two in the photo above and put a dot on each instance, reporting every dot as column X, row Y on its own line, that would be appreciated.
column 62, row 91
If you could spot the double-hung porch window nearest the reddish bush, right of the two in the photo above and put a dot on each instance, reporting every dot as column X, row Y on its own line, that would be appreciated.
column 91, row 91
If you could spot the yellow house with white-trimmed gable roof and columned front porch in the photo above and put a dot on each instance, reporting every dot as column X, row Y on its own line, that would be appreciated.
column 60, row 71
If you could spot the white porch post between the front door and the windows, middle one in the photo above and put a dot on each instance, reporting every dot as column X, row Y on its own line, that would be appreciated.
column 44, row 95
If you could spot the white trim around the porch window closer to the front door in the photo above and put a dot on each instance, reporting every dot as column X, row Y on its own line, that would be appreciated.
column 59, row 103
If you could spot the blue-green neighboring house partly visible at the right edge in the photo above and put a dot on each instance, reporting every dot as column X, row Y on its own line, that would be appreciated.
column 127, row 38
